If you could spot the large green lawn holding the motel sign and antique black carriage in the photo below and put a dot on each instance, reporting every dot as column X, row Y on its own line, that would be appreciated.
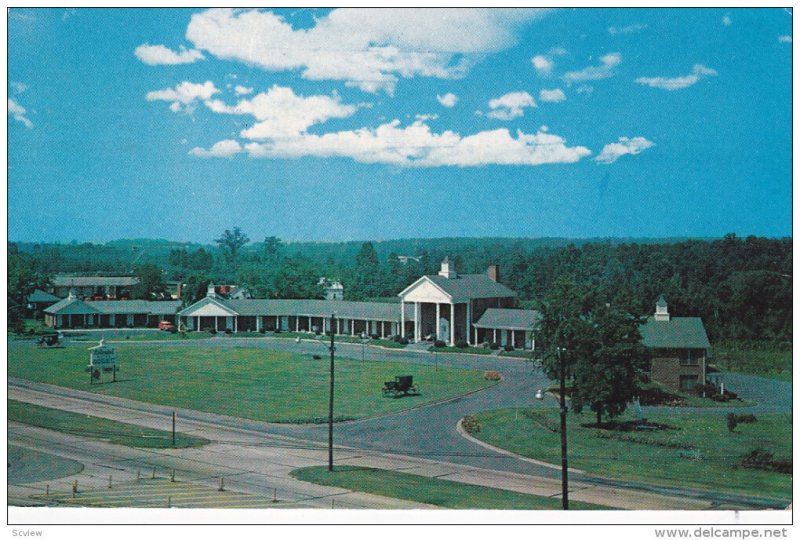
column 246, row 382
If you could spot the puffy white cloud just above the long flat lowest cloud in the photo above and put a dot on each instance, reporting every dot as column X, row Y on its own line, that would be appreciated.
column 282, row 113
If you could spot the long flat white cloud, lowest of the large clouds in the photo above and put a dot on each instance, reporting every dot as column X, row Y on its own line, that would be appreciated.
column 417, row 146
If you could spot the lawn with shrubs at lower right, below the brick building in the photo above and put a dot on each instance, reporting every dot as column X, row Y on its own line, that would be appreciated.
column 652, row 456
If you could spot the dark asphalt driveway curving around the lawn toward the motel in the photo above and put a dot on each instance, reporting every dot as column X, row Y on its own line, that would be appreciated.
column 430, row 431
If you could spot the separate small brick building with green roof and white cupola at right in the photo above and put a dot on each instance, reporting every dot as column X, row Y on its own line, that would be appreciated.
column 679, row 348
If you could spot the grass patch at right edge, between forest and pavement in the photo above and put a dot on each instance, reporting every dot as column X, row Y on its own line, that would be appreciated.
column 753, row 359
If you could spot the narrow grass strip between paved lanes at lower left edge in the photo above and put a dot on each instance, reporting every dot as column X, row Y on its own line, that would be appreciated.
column 98, row 428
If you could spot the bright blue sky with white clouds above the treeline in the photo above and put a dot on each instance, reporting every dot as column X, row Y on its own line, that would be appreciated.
column 320, row 125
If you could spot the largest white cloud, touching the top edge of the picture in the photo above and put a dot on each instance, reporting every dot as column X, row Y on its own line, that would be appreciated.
column 367, row 48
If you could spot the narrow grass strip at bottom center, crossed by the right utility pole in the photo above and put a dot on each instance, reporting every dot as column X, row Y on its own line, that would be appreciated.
column 436, row 491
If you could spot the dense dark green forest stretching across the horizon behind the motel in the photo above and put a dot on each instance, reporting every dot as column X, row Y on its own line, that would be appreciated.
column 741, row 287
